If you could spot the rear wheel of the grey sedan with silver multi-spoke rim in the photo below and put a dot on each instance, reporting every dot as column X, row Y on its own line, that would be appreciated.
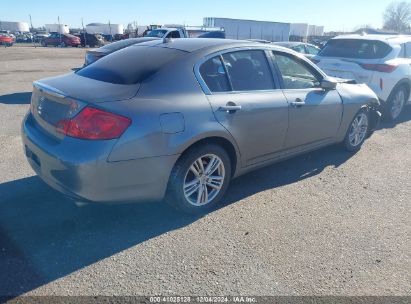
column 199, row 179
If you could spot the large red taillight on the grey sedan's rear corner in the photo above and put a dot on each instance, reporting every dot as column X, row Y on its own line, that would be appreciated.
column 92, row 123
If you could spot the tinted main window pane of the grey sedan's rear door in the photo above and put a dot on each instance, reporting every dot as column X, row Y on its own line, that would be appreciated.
column 249, row 70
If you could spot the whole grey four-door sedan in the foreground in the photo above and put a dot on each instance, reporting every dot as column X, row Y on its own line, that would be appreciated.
column 179, row 119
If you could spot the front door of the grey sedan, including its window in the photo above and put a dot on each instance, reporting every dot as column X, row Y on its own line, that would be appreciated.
column 314, row 114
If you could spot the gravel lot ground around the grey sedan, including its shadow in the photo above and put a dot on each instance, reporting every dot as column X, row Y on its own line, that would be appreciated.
column 326, row 223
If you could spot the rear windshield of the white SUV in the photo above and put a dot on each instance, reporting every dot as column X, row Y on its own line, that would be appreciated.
column 355, row 48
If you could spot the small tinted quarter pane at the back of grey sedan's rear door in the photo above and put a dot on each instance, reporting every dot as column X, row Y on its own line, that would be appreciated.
column 214, row 75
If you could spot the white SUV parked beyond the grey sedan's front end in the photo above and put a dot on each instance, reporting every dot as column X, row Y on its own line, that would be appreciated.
column 382, row 62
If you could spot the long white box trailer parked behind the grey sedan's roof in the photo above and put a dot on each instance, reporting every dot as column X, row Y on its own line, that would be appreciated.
column 250, row 29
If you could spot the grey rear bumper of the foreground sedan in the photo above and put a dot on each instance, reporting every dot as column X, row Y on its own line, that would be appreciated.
column 80, row 170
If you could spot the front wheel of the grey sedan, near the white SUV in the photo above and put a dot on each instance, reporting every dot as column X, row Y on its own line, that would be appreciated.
column 357, row 131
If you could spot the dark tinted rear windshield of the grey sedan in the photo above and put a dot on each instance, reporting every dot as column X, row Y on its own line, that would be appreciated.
column 130, row 65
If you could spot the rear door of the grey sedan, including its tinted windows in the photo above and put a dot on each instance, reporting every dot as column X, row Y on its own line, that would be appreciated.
column 247, row 101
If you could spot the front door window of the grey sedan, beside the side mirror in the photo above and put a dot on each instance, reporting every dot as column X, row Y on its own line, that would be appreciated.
column 295, row 74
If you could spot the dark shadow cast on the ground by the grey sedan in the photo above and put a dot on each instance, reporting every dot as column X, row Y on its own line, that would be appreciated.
column 44, row 236
